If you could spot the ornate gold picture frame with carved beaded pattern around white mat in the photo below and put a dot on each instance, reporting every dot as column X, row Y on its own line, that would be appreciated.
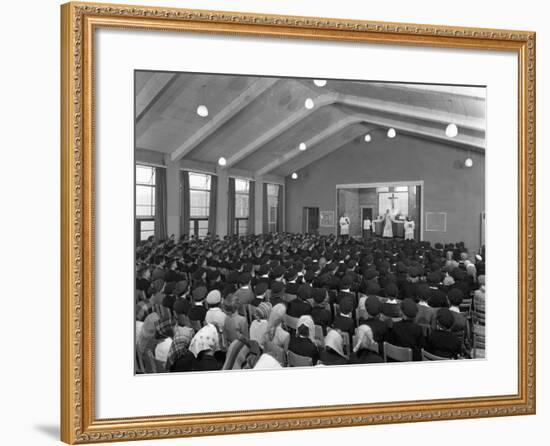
column 78, row 424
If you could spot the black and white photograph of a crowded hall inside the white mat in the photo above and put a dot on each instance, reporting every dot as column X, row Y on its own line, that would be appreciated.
column 294, row 222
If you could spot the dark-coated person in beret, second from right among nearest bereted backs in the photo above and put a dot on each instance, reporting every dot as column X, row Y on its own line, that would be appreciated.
column 407, row 333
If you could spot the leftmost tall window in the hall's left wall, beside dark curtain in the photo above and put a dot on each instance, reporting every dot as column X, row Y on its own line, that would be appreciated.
column 145, row 202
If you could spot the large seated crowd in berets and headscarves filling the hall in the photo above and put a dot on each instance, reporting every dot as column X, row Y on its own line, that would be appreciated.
column 240, row 288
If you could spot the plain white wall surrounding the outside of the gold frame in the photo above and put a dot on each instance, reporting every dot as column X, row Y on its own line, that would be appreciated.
column 30, row 217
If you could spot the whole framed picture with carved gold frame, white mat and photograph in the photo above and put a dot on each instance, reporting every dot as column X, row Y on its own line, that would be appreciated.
column 195, row 247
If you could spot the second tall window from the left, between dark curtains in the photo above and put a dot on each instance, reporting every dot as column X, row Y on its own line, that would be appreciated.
column 199, row 203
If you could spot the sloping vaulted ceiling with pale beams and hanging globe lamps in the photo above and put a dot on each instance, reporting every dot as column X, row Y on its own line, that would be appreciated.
column 257, row 123
